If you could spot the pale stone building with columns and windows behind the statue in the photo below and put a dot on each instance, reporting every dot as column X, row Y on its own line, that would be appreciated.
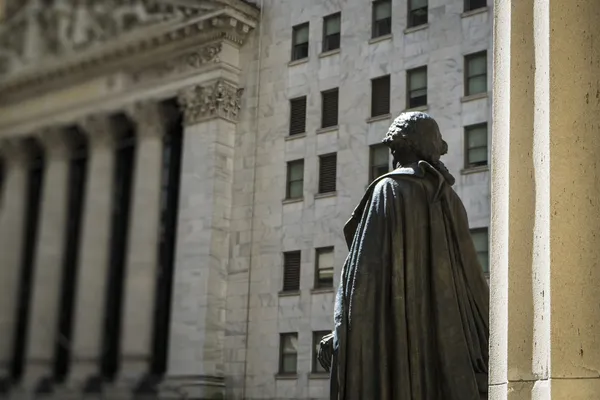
column 175, row 175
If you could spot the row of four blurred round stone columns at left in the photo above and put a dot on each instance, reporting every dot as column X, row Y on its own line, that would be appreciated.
column 93, row 263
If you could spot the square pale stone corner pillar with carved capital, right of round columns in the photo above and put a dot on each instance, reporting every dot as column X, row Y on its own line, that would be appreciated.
column 196, row 353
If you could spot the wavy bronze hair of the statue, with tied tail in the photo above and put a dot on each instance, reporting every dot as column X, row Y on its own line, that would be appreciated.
column 418, row 132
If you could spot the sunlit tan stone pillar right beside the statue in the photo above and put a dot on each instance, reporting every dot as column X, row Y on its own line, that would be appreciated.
column 545, row 282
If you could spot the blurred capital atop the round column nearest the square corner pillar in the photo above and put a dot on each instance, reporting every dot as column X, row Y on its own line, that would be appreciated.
column 149, row 116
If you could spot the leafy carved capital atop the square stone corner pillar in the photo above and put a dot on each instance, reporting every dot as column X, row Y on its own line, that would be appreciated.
column 220, row 99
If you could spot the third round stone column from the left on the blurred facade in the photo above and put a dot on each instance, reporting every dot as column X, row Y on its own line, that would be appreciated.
column 93, row 262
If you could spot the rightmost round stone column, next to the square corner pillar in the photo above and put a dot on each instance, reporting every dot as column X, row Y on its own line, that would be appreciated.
column 142, row 257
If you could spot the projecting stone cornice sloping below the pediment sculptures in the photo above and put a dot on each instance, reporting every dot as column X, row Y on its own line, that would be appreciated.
column 231, row 20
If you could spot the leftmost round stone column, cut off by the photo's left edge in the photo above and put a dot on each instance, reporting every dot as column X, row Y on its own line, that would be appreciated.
column 12, row 220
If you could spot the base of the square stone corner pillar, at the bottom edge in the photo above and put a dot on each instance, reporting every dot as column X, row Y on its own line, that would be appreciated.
column 198, row 387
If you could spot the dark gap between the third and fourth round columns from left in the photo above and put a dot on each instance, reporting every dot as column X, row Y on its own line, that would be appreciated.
column 121, row 205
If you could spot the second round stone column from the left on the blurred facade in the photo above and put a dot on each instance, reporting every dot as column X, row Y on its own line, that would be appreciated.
column 48, row 267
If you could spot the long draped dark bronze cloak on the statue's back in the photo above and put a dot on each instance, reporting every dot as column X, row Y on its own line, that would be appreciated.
column 411, row 313
